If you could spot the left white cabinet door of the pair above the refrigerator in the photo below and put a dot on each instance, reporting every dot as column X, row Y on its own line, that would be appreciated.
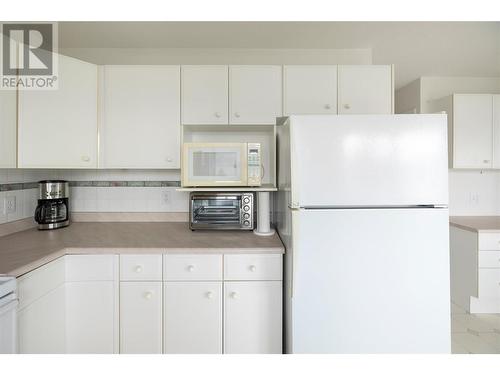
column 310, row 89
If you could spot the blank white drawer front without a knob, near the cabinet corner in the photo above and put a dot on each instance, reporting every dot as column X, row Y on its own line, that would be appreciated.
column 90, row 267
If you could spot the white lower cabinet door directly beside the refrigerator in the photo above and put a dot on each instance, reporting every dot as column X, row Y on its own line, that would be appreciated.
column 252, row 317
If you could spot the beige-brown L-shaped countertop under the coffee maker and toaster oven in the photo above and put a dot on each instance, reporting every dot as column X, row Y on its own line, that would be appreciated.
column 24, row 251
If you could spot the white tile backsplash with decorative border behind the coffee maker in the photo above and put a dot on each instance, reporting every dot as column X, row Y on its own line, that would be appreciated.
column 95, row 191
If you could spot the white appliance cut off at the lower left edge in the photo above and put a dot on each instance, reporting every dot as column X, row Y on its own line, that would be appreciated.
column 8, row 315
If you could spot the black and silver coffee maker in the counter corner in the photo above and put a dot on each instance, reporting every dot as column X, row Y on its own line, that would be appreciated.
column 52, row 211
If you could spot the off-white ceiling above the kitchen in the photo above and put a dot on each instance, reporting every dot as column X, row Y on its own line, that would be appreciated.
column 416, row 48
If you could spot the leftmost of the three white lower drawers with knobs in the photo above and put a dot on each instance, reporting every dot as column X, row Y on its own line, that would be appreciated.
column 145, row 267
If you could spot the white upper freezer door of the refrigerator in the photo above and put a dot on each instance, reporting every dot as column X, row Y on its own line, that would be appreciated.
column 369, row 160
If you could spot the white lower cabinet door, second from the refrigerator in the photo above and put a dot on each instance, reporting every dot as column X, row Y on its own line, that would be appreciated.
column 192, row 317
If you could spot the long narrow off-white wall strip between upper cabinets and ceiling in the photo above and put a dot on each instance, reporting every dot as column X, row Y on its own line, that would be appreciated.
column 121, row 56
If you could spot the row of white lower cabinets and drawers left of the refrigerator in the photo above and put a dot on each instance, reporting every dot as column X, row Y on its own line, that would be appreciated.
column 205, row 303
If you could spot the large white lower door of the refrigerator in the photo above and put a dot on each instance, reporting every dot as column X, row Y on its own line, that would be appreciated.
column 370, row 281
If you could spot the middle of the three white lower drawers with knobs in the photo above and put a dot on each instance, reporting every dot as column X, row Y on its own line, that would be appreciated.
column 192, row 267
